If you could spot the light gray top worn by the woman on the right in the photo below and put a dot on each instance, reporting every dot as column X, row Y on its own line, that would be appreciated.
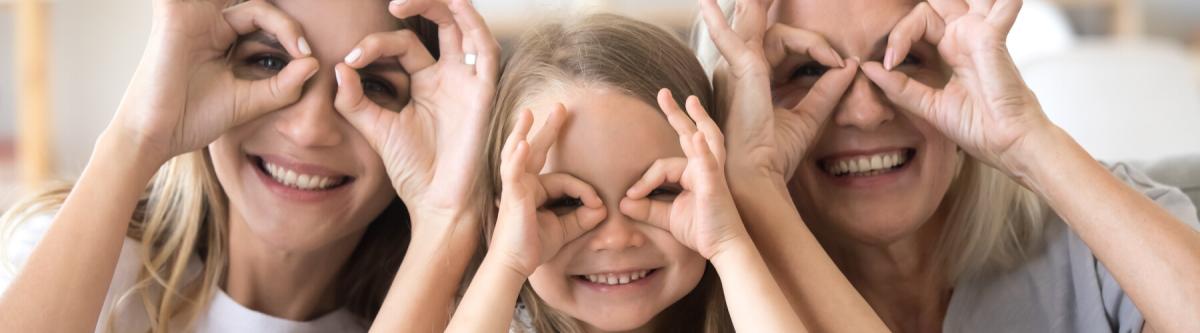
column 1064, row 288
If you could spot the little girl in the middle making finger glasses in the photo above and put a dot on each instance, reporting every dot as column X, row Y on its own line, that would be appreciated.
column 611, row 210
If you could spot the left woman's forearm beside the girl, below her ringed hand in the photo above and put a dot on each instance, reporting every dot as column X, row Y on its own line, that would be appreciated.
column 422, row 296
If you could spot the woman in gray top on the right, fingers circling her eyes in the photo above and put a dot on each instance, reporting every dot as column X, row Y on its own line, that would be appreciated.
column 919, row 164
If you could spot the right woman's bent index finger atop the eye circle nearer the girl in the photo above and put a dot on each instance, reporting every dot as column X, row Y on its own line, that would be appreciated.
column 787, row 47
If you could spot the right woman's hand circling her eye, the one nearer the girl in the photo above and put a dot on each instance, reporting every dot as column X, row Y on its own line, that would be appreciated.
column 763, row 137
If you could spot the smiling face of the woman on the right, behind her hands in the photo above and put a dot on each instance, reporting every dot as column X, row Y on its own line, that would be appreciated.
column 877, row 174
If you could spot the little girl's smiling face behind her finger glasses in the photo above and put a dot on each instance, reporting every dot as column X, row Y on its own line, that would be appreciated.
column 609, row 142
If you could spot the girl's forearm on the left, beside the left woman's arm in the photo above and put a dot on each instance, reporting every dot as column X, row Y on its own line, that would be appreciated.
column 489, row 304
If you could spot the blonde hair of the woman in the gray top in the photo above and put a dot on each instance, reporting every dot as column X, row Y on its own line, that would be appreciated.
column 993, row 223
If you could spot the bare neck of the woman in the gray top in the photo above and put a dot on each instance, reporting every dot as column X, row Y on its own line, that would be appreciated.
column 904, row 281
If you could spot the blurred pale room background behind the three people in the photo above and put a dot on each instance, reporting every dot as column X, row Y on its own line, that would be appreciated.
column 1121, row 76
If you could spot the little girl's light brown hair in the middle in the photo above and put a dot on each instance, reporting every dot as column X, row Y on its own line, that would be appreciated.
column 614, row 52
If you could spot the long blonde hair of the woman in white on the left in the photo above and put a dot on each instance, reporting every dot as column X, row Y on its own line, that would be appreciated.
column 184, row 214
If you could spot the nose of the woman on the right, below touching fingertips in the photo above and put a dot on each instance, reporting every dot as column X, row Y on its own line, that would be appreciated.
column 865, row 106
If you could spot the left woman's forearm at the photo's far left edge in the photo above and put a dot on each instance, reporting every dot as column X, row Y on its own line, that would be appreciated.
column 67, row 278
